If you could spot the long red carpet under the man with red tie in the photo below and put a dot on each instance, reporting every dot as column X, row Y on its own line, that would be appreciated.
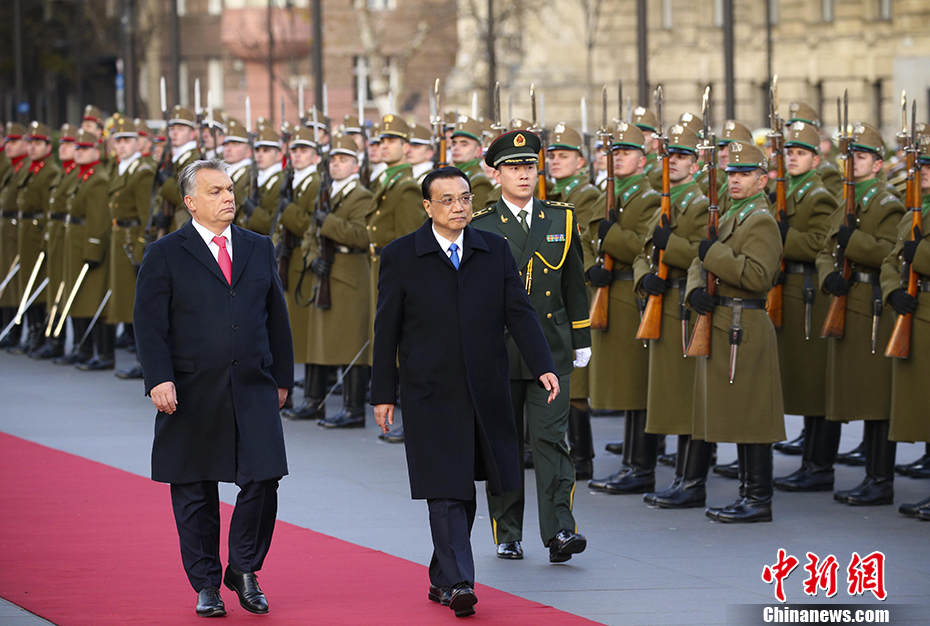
column 85, row 543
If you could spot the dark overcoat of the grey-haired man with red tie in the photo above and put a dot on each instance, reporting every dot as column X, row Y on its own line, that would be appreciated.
column 226, row 347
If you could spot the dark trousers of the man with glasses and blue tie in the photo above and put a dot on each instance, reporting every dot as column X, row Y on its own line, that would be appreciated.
column 450, row 523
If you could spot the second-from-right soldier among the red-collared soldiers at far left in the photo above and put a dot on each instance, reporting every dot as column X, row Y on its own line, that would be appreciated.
column 56, row 293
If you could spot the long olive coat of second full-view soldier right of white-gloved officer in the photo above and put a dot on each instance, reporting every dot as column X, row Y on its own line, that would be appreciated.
column 670, row 392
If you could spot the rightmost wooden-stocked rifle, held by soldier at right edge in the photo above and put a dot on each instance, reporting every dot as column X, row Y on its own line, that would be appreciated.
column 899, row 346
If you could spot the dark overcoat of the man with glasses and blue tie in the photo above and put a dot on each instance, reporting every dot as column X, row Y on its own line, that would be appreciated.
column 446, row 329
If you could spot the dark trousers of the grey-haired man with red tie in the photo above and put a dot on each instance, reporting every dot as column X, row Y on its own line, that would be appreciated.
column 197, row 514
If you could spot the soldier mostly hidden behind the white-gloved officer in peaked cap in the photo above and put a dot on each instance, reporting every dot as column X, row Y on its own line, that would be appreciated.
column 565, row 161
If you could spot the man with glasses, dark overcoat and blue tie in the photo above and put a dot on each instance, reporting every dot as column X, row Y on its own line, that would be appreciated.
column 446, row 292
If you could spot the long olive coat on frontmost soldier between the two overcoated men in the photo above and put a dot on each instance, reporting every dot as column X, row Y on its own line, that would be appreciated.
column 335, row 335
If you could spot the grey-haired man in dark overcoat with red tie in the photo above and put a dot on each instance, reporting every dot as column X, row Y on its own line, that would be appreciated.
column 214, row 342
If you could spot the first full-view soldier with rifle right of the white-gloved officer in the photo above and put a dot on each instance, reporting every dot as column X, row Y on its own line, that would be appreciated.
column 620, row 367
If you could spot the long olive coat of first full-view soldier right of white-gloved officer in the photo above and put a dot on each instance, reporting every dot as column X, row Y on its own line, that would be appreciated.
column 619, row 361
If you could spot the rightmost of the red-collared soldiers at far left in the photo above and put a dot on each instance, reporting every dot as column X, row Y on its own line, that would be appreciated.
column 87, row 239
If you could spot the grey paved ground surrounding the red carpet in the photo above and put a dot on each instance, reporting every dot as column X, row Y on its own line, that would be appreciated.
column 642, row 566
